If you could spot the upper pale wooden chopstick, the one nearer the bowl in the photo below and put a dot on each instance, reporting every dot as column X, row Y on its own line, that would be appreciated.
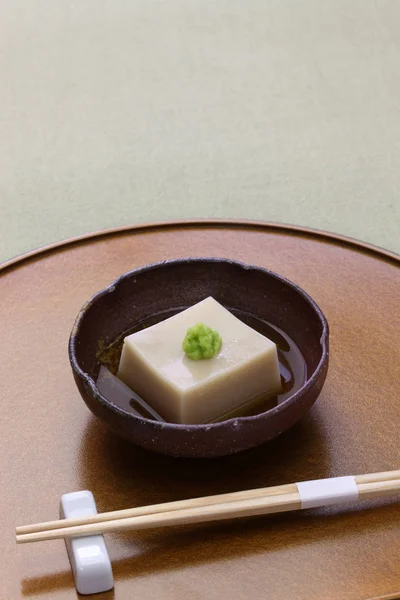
column 191, row 503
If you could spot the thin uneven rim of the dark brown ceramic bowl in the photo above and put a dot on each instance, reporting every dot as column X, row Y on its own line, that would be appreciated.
column 89, row 382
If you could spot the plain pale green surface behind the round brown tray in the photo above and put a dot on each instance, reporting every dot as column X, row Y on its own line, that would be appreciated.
column 118, row 112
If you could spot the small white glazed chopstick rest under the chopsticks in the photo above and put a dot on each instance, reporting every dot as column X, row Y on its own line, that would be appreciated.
column 88, row 555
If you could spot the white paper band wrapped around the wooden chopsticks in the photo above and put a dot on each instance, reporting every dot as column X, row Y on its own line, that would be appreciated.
column 322, row 492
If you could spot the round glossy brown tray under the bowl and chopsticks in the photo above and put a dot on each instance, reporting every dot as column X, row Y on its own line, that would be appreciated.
column 51, row 444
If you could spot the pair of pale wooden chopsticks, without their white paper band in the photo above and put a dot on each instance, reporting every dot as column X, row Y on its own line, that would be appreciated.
column 224, row 506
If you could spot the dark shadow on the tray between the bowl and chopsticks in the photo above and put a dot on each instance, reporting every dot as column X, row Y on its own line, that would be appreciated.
column 122, row 475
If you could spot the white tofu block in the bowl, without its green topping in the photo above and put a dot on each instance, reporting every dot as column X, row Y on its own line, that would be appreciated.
column 182, row 390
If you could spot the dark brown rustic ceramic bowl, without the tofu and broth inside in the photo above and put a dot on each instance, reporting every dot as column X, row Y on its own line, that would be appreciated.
column 149, row 294
